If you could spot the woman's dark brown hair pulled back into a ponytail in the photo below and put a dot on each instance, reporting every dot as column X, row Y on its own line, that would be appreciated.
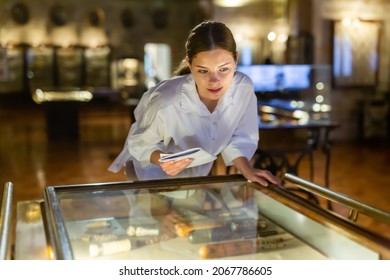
column 207, row 36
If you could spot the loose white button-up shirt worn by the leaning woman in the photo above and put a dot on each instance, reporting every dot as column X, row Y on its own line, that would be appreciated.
column 172, row 118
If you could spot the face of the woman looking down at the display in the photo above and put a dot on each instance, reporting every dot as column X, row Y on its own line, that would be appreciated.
column 213, row 72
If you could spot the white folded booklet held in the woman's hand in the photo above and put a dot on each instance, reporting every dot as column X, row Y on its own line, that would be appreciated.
column 198, row 155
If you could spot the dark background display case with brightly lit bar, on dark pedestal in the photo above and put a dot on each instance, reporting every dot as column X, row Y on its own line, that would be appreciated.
column 55, row 80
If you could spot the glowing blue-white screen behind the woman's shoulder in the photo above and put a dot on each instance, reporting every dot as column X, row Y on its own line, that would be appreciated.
column 277, row 78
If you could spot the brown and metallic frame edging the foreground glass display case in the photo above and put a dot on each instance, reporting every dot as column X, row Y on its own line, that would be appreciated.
column 59, row 240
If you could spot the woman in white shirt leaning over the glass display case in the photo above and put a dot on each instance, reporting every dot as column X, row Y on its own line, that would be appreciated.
column 208, row 105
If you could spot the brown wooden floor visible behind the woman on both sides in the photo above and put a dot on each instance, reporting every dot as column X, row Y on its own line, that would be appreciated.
column 32, row 162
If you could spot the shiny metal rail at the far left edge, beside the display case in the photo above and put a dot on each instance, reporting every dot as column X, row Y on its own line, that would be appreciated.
column 6, row 221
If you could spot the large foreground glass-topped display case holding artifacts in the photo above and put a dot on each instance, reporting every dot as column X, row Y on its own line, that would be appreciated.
column 213, row 217
